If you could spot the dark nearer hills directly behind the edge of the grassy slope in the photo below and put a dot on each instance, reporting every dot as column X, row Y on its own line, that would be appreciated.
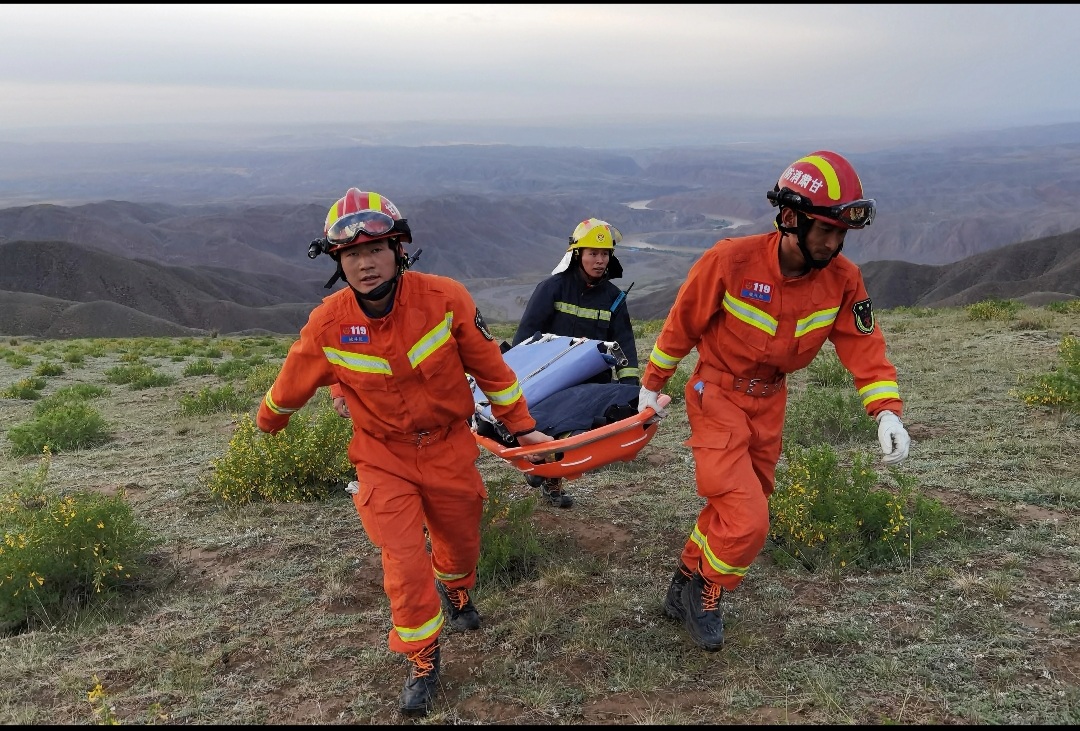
column 60, row 290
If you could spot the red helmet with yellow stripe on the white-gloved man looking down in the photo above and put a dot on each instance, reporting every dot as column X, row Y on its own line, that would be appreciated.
column 825, row 186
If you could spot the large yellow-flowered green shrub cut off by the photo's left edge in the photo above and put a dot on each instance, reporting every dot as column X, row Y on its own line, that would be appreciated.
column 64, row 551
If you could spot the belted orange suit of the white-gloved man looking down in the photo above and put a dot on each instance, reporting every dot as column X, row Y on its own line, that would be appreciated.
column 751, row 327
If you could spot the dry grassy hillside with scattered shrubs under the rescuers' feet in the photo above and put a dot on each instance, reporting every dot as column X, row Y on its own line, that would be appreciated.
column 163, row 563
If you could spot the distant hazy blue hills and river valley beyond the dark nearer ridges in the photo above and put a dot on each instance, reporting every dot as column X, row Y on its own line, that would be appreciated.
column 495, row 211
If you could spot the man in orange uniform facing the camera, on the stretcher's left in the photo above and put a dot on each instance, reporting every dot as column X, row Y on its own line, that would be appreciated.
column 400, row 345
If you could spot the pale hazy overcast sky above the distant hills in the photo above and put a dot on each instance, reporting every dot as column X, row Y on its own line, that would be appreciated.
column 104, row 64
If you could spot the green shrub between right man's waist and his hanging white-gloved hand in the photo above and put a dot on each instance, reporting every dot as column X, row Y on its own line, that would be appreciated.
column 835, row 416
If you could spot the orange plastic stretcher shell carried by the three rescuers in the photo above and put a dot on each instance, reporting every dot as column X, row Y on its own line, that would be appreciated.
column 574, row 456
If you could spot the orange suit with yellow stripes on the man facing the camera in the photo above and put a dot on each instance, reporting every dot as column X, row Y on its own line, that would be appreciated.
column 403, row 378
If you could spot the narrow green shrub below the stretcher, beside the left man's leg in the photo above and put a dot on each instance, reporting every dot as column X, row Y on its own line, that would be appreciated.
column 510, row 548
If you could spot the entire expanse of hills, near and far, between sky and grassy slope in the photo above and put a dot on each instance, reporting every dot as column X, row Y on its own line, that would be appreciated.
column 213, row 236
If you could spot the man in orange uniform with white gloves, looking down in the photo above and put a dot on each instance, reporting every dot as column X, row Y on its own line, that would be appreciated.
column 758, row 308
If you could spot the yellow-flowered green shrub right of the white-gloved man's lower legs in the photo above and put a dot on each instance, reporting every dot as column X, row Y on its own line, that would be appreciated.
column 827, row 518
